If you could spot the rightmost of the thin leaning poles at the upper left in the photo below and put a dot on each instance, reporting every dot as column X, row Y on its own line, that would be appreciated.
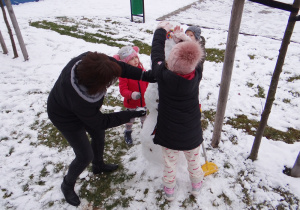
column 17, row 29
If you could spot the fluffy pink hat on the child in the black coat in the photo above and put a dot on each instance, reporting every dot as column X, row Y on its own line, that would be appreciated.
column 184, row 57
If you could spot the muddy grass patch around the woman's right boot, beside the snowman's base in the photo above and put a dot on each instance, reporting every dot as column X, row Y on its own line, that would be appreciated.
column 105, row 190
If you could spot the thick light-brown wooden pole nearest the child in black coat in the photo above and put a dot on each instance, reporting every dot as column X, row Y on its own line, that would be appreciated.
column 234, row 27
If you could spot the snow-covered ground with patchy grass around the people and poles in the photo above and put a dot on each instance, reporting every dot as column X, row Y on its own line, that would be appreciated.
column 25, row 86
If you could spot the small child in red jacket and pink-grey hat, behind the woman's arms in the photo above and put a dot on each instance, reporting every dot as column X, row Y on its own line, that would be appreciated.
column 132, row 90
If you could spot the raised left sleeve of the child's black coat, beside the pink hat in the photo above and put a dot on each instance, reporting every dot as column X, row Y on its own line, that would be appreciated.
column 158, row 47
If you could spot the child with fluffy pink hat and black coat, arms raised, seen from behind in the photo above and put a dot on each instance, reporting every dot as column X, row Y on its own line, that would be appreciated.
column 178, row 127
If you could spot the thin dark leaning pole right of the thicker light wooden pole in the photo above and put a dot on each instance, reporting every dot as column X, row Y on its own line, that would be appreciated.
column 274, row 82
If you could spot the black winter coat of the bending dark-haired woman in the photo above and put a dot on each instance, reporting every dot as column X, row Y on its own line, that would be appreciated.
column 70, row 110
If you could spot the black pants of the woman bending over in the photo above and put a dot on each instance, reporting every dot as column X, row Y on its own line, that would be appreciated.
column 85, row 151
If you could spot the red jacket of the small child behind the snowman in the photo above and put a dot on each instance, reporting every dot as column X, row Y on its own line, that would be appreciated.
column 127, row 86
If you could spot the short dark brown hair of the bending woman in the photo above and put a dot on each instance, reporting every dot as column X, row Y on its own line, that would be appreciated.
column 97, row 72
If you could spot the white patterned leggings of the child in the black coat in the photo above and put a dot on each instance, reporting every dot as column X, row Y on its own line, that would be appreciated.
column 170, row 161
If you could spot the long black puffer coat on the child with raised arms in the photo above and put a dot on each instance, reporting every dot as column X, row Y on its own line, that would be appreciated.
column 179, row 118
